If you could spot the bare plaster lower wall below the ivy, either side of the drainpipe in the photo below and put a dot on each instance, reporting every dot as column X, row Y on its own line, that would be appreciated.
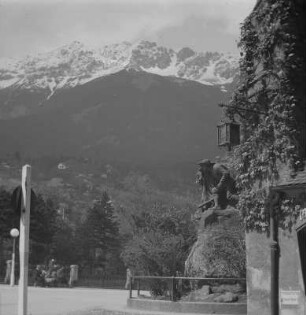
column 259, row 274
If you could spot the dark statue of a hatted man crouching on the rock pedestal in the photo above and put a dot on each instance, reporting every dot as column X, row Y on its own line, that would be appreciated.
column 218, row 187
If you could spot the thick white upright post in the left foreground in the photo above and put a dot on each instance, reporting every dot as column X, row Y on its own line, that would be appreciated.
column 24, row 240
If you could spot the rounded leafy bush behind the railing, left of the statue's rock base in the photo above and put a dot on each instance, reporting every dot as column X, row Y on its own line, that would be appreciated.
column 162, row 238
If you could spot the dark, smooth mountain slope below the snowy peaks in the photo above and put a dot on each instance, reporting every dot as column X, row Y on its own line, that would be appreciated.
column 131, row 115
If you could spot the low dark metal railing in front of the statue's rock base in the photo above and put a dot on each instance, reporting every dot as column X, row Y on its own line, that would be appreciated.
column 173, row 288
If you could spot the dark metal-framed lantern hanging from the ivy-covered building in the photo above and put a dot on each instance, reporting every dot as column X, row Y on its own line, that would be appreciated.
column 228, row 134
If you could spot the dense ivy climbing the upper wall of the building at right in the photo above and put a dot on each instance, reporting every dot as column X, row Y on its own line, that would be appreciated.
column 269, row 103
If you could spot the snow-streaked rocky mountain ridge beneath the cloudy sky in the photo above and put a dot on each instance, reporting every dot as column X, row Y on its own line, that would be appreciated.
column 76, row 64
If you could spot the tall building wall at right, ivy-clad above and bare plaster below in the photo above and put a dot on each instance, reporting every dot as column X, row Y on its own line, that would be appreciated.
column 269, row 103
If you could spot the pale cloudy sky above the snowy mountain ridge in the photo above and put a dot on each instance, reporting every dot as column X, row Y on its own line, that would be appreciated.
column 34, row 26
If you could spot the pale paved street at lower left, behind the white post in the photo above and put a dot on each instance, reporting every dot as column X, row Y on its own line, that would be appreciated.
column 54, row 301
